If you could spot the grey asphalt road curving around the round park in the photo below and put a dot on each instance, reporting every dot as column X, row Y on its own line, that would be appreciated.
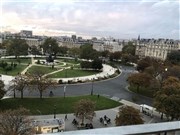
column 116, row 87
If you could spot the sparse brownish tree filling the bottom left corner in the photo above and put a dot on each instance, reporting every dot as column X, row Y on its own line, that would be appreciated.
column 16, row 122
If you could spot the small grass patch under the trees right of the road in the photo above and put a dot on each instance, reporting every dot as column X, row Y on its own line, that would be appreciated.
column 143, row 91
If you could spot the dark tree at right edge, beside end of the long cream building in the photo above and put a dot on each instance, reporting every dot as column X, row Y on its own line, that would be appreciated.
column 174, row 57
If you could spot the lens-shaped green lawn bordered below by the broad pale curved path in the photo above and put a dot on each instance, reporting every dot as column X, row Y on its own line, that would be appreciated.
column 72, row 73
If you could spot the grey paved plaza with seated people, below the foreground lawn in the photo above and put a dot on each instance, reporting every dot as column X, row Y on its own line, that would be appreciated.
column 110, row 113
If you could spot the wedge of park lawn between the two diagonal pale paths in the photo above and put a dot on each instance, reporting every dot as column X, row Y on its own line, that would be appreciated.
column 43, row 69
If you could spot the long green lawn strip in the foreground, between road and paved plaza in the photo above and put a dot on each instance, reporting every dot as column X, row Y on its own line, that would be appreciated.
column 63, row 105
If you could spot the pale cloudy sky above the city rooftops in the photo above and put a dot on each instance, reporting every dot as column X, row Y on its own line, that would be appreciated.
column 122, row 19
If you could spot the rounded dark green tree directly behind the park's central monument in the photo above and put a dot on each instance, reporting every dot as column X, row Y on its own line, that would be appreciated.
column 50, row 46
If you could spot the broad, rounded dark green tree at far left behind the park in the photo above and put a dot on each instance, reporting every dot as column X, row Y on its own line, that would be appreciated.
column 17, row 47
